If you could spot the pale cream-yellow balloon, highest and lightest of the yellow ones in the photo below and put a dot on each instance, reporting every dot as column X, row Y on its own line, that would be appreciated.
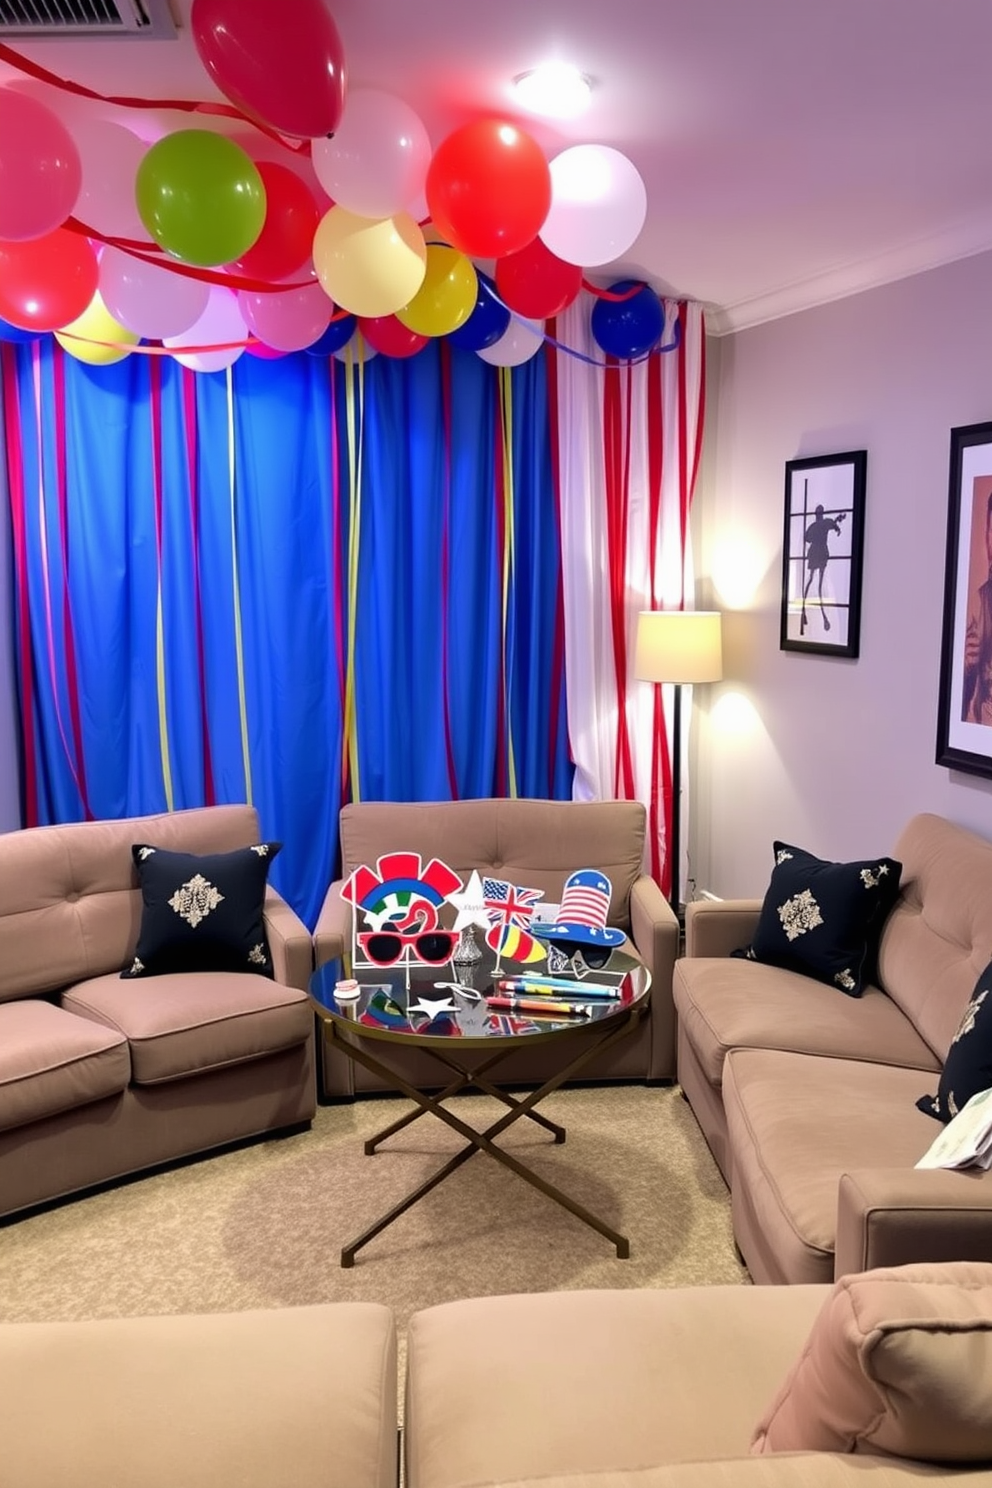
column 370, row 267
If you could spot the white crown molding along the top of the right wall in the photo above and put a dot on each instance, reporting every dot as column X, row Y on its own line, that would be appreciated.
column 962, row 242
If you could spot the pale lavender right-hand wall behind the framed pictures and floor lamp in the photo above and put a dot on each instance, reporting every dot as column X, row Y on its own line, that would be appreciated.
column 834, row 754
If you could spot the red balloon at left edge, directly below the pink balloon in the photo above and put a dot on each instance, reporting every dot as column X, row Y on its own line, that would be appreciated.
column 48, row 282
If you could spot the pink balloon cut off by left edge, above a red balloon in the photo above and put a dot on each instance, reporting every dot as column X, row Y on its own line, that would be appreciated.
column 41, row 172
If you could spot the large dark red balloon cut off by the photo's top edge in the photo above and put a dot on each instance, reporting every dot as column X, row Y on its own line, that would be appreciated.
column 285, row 69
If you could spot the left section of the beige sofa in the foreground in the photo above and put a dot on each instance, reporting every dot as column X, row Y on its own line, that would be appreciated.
column 292, row 1398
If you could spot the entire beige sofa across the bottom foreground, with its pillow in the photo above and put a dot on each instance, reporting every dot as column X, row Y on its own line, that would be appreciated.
column 883, row 1380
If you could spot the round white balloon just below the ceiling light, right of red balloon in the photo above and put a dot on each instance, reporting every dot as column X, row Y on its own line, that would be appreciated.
column 599, row 206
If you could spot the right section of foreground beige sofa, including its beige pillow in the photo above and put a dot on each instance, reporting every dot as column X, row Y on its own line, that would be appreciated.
column 707, row 1388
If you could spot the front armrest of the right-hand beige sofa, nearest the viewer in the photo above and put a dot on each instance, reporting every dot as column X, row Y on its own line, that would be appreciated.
column 893, row 1216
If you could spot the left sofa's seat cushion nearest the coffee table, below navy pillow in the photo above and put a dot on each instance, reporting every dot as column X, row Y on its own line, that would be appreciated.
column 196, row 1022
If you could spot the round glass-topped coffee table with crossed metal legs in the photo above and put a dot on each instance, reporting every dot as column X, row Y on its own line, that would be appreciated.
column 454, row 1016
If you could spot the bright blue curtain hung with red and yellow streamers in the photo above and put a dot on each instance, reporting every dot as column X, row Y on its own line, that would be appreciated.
column 288, row 584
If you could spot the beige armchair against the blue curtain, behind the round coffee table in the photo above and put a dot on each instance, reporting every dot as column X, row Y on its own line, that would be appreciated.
column 533, row 844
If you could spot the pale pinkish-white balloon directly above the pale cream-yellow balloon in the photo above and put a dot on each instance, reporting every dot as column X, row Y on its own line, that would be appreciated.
column 377, row 161
